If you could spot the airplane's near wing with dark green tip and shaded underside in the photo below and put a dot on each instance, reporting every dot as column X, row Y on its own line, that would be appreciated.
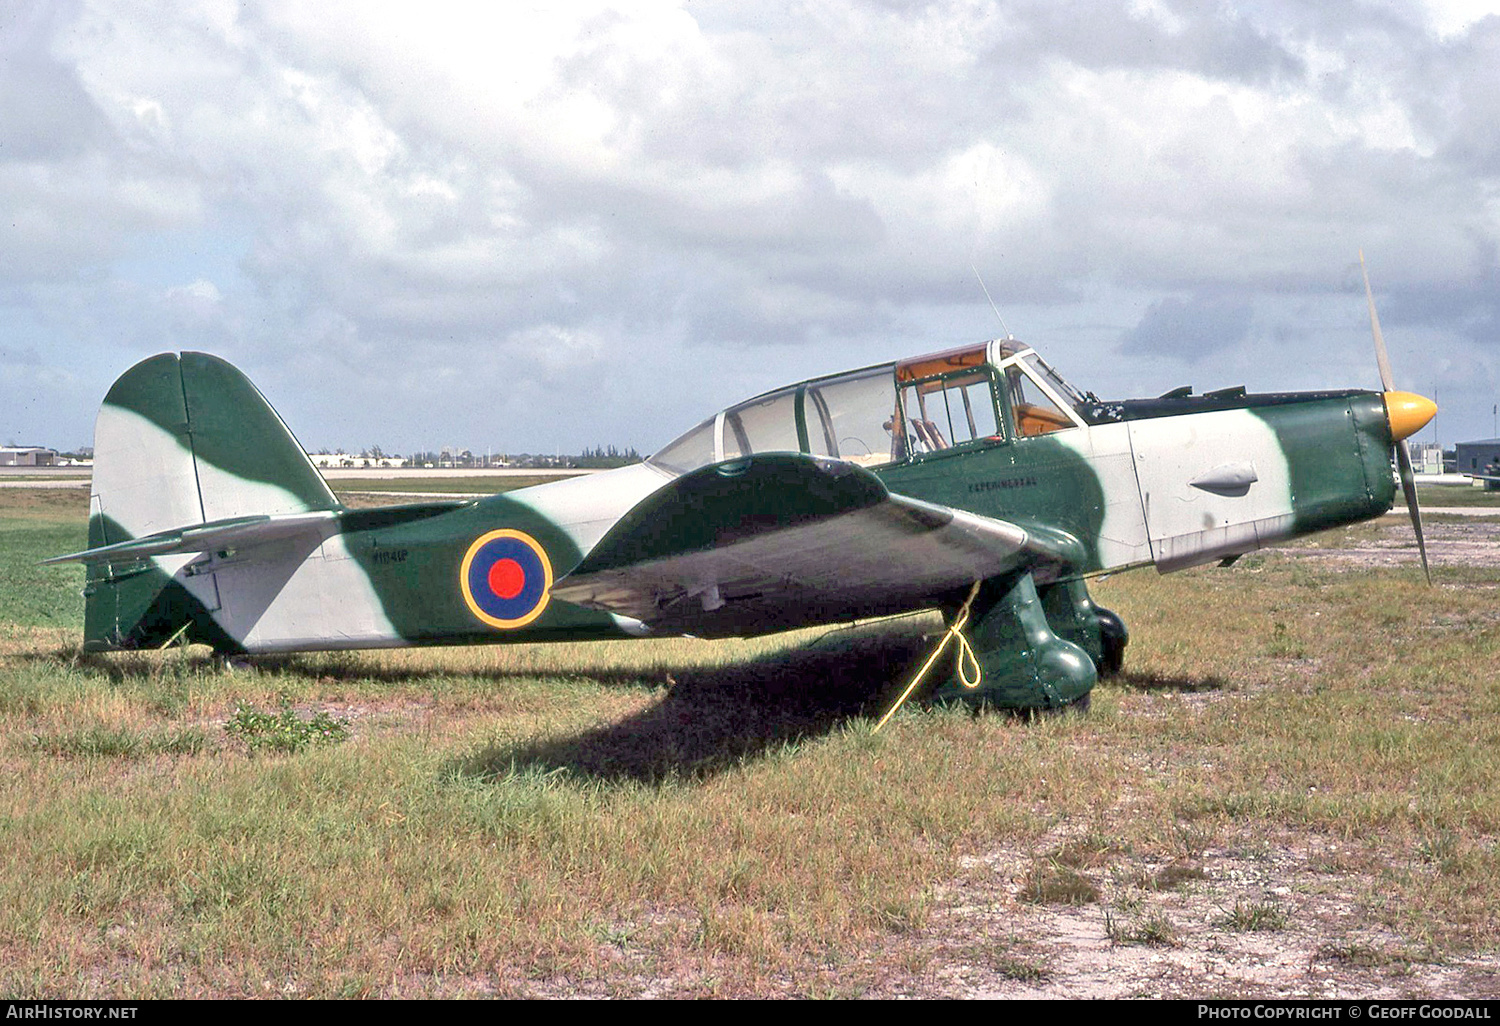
column 785, row 541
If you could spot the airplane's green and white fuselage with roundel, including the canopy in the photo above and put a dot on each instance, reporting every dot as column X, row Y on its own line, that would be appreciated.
column 1171, row 484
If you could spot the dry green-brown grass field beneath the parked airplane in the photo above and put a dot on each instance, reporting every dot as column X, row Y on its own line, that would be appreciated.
column 1295, row 790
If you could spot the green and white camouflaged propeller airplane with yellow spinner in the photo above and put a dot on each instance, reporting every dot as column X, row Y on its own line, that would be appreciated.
column 974, row 481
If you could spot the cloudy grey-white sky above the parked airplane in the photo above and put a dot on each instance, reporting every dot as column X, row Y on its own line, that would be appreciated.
column 541, row 227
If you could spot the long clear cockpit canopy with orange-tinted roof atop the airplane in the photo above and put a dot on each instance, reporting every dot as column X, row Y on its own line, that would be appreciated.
column 964, row 398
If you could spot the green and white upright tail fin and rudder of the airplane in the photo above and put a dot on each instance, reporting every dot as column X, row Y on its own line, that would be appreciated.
column 182, row 440
